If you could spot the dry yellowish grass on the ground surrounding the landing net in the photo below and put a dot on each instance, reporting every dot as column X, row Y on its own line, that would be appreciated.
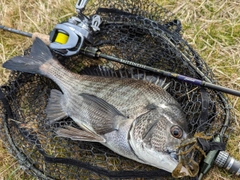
column 212, row 27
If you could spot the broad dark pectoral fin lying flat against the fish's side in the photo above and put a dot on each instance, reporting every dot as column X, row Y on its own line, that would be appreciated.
column 104, row 117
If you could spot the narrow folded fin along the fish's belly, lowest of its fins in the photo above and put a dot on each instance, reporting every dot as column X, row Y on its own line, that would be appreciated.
column 80, row 135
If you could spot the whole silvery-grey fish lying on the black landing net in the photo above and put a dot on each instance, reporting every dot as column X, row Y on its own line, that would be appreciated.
column 134, row 118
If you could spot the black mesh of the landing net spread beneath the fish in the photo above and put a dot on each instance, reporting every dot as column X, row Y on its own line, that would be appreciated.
column 141, row 32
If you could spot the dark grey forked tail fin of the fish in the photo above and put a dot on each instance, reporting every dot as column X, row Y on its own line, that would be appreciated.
column 40, row 54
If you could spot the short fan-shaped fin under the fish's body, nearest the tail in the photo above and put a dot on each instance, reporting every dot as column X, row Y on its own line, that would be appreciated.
column 54, row 107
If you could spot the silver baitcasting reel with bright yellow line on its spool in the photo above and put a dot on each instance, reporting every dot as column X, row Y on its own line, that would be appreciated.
column 67, row 38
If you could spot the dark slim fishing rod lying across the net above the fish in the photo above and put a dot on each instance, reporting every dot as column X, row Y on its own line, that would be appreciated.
column 97, row 53
